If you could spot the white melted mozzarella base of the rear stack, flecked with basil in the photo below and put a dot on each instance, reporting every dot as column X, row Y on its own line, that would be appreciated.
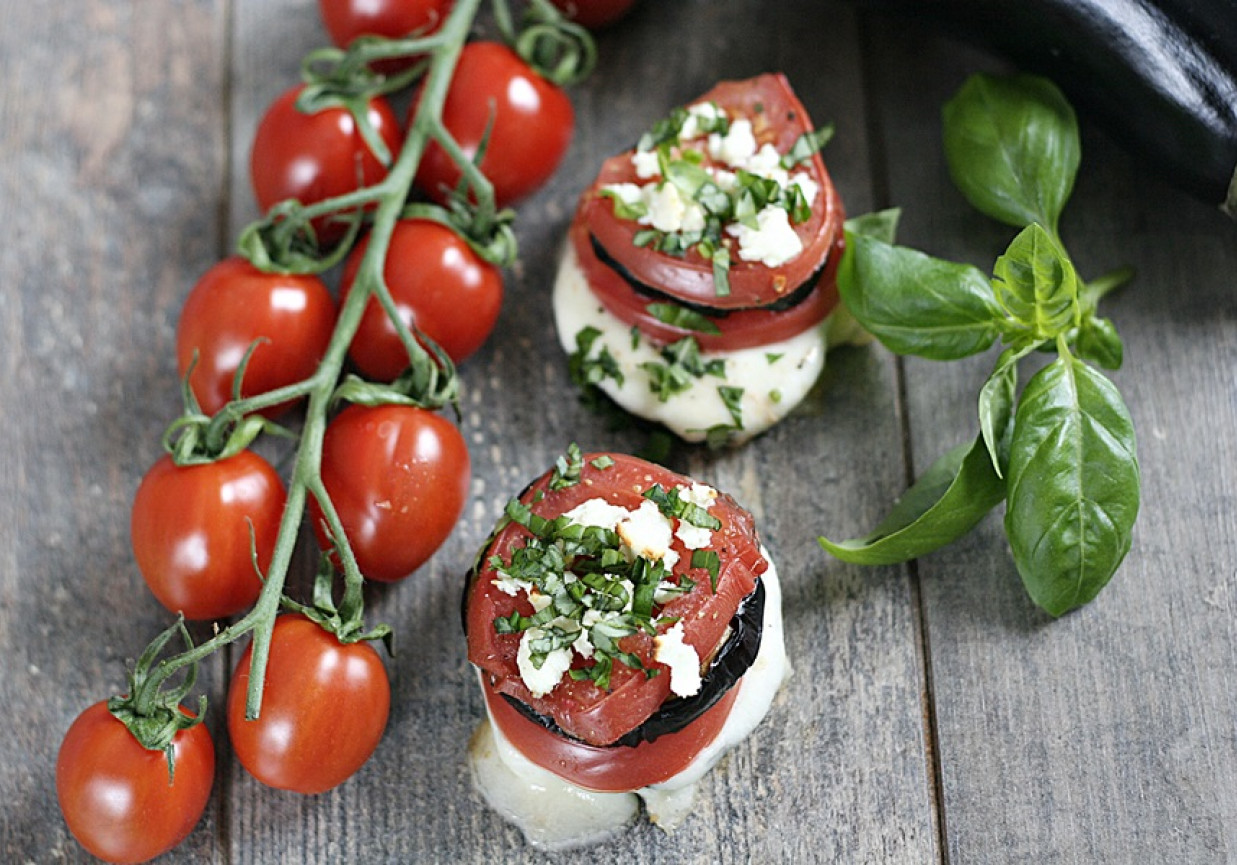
column 771, row 390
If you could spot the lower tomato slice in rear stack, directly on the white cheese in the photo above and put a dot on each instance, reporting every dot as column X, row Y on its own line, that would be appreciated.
column 739, row 329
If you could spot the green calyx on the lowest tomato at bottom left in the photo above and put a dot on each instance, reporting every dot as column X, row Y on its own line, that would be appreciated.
column 152, row 713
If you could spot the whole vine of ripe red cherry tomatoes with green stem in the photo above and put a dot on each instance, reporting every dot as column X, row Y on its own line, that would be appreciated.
column 389, row 473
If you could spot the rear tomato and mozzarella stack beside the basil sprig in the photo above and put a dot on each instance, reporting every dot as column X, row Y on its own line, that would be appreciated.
column 700, row 273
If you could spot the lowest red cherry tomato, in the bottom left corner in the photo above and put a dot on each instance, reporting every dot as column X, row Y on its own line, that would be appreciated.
column 116, row 795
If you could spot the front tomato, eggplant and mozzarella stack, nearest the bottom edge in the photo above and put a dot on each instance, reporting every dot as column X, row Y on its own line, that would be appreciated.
column 625, row 623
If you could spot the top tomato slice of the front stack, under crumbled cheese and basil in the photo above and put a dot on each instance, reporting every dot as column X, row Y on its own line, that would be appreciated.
column 580, row 707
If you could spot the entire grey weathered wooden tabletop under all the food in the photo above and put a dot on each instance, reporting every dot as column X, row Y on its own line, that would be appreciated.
column 936, row 716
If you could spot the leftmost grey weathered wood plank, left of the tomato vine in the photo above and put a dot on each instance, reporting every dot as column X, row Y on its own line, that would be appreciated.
column 111, row 142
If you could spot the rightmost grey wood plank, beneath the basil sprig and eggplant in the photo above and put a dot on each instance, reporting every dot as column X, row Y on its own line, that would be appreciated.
column 1106, row 736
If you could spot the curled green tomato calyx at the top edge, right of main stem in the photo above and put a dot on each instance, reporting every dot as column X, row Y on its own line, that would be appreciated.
column 557, row 49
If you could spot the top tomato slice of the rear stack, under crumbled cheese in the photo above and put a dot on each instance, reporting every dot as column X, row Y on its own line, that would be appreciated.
column 779, row 118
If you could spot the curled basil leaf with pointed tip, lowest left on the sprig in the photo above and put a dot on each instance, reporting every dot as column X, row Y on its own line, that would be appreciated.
column 952, row 497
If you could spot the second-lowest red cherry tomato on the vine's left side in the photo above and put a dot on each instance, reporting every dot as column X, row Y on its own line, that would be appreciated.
column 191, row 533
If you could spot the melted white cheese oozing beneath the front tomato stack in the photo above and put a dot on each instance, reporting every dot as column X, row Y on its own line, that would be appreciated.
column 556, row 815
